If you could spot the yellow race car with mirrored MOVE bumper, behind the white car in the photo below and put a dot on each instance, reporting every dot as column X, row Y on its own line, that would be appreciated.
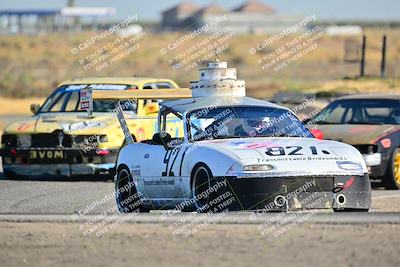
column 62, row 139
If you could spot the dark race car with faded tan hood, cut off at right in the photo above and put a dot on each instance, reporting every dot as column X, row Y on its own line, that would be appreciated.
column 370, row 123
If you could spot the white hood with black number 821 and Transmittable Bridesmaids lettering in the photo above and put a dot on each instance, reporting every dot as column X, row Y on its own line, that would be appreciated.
column 291, row 156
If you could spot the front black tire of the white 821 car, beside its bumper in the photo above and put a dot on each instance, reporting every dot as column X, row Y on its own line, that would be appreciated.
column 201, row 179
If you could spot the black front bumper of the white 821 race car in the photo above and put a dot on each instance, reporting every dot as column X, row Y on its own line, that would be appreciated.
column 293, row 193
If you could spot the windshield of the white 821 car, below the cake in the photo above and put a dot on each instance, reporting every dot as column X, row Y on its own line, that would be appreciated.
column 236, row 122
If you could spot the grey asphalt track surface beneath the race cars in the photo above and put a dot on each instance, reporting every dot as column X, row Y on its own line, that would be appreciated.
column 77, row 201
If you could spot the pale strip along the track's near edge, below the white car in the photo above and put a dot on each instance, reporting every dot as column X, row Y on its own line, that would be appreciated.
column 229, row 218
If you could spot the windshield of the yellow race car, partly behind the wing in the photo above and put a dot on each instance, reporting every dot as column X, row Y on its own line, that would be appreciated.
column 66, row 99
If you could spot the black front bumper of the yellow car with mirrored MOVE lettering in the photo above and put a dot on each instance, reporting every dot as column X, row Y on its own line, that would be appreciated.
column 57, row 162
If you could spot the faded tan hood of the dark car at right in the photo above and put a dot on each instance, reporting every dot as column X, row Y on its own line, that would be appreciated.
column 356, row 134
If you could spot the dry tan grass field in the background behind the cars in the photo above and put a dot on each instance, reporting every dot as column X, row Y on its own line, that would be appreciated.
column 34, row 65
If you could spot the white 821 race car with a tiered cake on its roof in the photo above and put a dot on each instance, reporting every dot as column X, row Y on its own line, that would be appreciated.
column 235, row 153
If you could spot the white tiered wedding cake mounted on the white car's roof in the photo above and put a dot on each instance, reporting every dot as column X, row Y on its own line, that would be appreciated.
column 218, row 80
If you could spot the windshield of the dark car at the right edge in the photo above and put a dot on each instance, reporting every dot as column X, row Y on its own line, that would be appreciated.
column 360, row 111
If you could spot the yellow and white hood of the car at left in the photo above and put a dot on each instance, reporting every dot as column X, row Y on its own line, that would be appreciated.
column 76, row 123
